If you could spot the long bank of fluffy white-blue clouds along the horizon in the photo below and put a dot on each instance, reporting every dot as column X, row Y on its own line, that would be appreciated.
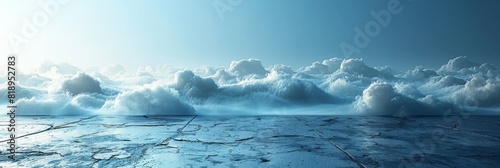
column 333, row 86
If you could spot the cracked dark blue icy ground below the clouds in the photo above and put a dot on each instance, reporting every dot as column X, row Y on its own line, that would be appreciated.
column 254, row 141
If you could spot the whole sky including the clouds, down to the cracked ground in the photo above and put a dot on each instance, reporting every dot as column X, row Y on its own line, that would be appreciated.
column 252, row 57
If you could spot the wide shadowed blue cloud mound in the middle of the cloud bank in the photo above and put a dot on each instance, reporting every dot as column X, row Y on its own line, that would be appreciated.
column 277, row 90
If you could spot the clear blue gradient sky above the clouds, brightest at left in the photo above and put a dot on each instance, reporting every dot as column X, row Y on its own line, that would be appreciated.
column 190, row 33
